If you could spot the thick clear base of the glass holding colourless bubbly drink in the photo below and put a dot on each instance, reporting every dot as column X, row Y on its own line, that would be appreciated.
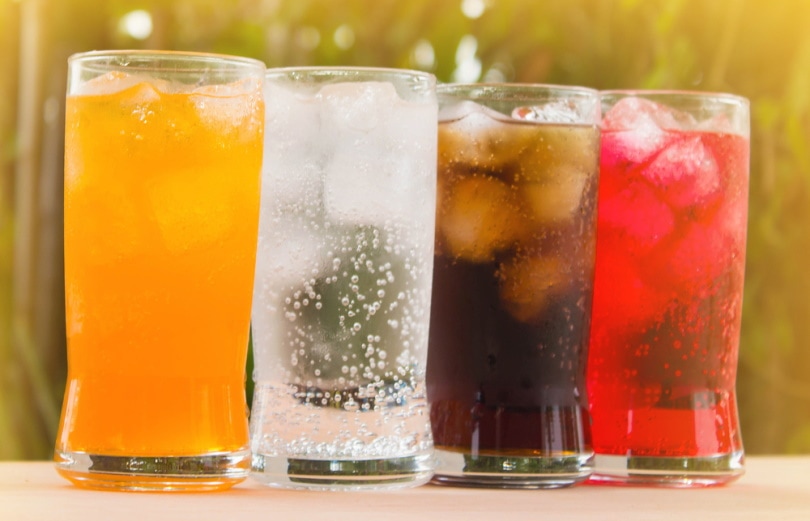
column 372, row 474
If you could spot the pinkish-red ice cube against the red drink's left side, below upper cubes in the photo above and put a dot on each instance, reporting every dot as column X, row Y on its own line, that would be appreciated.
column 640, row 218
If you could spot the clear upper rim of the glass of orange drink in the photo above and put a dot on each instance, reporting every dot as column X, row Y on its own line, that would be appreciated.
column 97, row 57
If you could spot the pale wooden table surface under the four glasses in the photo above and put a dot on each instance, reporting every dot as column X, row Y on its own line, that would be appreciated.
column 776, row 488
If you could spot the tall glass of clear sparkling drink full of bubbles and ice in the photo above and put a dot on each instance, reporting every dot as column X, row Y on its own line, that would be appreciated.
column 342, row 294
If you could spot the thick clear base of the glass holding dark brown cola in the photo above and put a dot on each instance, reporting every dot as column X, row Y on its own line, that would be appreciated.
column 505, row 471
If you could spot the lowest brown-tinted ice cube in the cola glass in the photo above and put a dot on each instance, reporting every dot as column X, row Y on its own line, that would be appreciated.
column 526, row 283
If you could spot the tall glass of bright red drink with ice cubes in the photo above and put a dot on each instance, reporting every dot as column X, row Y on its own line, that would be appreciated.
column 669, row 280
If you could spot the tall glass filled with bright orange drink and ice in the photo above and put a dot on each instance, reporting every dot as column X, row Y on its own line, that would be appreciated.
column 163, row 156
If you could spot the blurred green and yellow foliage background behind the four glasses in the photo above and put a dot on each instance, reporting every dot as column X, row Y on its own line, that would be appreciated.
column 758, row 49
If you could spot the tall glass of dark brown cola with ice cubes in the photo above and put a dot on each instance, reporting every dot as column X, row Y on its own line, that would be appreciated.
column 512, row 287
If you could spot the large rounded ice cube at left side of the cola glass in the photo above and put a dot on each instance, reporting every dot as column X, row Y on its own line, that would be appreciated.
column 478, row 217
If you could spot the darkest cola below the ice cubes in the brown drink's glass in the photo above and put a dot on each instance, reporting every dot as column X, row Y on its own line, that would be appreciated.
column 496, row 385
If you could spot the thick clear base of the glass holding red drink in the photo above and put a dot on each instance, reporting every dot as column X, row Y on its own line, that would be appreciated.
column 683, row 472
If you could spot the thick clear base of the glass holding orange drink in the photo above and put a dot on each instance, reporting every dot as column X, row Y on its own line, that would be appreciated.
column 218, row 471
